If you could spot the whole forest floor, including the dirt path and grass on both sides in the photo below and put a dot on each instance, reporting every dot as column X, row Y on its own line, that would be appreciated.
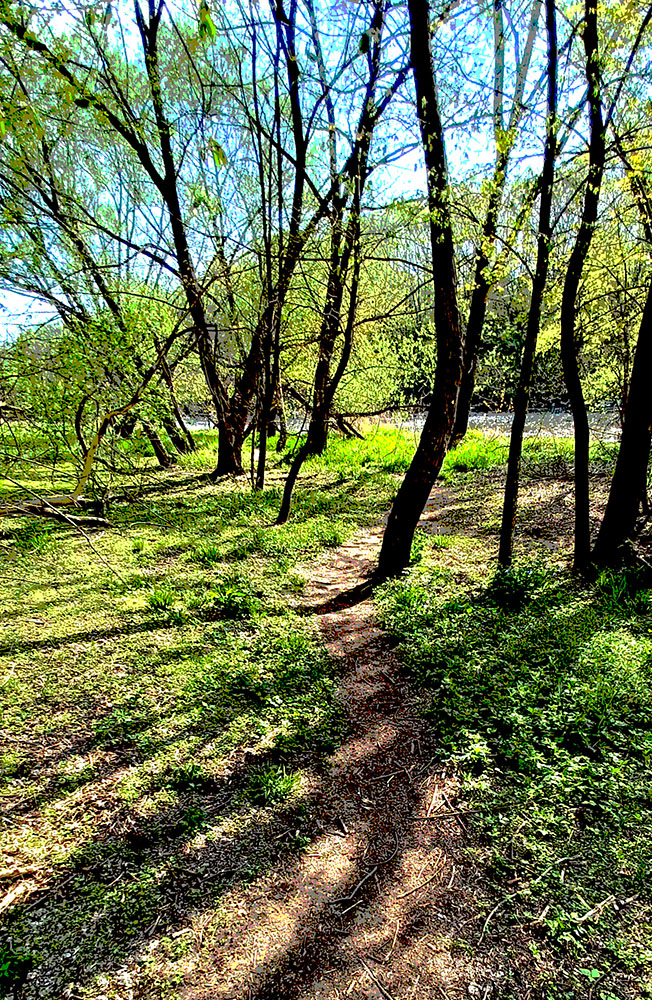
column 231, row 772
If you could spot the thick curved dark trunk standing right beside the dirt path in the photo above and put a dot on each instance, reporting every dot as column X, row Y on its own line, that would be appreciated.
column 420, row 477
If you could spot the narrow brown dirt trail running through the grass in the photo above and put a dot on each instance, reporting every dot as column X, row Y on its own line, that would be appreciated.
column 381, row 902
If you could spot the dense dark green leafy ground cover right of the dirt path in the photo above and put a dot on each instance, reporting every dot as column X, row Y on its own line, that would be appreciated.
column 539, row 694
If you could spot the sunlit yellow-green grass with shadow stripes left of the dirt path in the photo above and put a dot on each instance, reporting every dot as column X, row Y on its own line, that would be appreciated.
column 159, row 701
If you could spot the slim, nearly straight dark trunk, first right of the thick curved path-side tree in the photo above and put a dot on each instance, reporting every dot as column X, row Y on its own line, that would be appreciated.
column 534, row 316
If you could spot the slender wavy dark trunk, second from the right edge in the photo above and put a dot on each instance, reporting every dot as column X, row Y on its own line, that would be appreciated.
column 569, row 345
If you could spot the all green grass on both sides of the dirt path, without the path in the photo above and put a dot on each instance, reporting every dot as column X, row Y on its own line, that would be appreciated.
column 161, row 705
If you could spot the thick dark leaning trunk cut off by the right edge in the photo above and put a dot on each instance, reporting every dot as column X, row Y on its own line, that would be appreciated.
column 629, row 484
